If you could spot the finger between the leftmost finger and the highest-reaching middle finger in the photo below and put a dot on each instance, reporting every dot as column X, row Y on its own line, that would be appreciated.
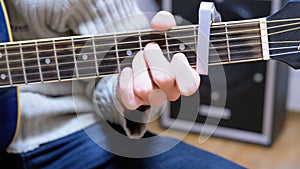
column 142, row 84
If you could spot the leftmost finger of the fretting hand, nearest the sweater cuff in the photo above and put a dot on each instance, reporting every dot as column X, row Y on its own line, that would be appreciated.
column 126, row 92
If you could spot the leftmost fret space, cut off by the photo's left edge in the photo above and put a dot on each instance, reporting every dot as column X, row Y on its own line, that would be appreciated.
column 5, row 77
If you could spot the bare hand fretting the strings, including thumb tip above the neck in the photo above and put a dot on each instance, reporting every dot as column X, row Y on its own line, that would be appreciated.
column 152, row 79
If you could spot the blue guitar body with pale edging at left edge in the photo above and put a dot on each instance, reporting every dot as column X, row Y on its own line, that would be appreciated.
column 9, row 97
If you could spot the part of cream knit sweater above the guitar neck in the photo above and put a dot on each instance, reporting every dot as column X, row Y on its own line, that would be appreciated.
column 32, row 19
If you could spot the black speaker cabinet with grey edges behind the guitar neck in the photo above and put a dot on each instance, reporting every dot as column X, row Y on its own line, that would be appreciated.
column 255, row 104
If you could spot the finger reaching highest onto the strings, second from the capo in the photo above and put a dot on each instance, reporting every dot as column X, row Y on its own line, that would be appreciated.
column 161, row 71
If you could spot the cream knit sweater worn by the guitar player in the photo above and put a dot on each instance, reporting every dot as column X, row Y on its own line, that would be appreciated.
column 51, row 111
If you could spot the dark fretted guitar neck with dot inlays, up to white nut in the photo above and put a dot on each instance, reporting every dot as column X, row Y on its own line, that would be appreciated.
column 80, row 57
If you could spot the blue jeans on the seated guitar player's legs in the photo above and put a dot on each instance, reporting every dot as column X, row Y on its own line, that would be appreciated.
column 78, row 151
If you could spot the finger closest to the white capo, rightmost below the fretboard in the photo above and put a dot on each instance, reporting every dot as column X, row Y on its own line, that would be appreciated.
column 187, row 79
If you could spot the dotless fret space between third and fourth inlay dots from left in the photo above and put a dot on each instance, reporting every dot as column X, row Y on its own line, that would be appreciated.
column 106, row 55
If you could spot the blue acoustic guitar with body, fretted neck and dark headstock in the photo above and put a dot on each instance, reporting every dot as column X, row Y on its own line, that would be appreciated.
column 93, row 56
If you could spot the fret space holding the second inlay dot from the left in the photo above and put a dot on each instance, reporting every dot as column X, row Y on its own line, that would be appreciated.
column 47, row 60
